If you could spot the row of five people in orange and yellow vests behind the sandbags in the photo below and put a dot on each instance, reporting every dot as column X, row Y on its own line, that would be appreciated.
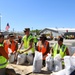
column 27, row 42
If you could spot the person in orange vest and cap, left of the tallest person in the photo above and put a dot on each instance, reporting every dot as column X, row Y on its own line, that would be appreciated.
column 11, row 45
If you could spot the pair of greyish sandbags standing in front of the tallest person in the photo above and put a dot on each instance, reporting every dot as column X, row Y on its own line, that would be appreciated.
column 22, row 57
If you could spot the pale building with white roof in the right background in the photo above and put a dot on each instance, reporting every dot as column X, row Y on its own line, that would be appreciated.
column 55, row 32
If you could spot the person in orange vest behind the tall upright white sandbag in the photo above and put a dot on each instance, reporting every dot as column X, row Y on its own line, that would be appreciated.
column 43, row 46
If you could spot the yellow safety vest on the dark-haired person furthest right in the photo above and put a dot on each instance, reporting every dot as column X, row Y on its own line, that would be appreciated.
column 62, row 50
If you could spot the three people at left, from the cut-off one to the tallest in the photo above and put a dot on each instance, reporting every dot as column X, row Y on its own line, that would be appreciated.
column 9, row 47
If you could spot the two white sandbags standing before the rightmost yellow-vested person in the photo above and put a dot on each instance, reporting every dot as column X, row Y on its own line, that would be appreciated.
column 53, row 64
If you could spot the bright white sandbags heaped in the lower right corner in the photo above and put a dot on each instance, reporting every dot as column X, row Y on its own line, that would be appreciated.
column 69, row 66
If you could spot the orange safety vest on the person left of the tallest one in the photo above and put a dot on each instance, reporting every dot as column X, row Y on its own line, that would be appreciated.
column 12, row 45
